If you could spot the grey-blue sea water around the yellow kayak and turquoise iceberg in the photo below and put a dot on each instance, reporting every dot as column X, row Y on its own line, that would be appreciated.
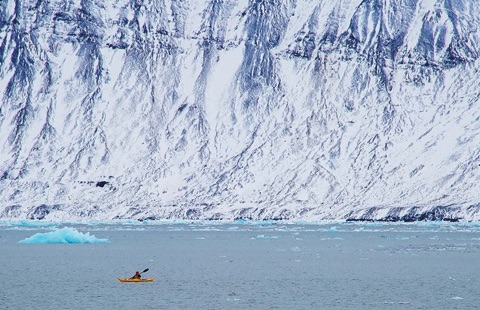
column 245, row 266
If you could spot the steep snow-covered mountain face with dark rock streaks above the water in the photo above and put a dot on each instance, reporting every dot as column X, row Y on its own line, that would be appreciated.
column 229, row 109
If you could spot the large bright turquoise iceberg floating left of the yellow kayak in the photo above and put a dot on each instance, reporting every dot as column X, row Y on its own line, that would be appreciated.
column 63, row 235
